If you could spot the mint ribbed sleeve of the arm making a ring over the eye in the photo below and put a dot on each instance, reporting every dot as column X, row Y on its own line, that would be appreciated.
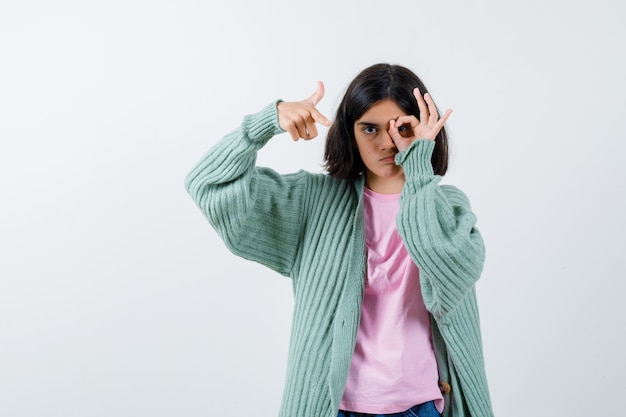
column 438, row 228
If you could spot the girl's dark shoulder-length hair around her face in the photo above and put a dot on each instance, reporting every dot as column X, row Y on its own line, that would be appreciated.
column 375, row 83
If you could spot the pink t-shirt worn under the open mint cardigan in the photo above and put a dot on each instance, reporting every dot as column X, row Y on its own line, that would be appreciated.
column 393, row 367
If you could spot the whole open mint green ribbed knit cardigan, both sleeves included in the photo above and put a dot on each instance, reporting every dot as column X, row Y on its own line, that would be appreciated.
column 310, row 228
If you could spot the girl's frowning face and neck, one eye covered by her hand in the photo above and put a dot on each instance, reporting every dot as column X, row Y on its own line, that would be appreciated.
column 376, row 148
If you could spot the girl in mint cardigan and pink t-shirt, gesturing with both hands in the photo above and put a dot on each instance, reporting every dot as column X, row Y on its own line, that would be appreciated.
column 382, row 258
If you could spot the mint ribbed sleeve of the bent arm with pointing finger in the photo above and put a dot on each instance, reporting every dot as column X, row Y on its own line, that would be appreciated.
column 257, row 212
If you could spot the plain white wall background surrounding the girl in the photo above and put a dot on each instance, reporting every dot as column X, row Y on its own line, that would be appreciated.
column 118, row 299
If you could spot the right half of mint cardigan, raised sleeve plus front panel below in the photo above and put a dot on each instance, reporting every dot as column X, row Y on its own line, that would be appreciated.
column 438, row 229
